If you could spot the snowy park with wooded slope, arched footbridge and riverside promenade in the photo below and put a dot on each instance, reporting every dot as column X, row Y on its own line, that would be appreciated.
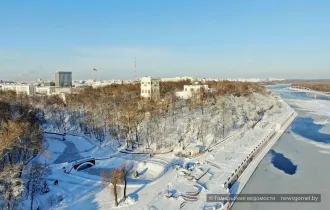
column 141, row 154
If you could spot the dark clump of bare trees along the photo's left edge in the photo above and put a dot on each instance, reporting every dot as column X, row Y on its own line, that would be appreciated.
column 20, row 140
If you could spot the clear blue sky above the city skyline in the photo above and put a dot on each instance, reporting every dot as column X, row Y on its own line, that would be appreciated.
column 201, row 38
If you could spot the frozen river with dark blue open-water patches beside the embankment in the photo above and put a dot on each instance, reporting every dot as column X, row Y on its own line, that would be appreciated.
column 299, row 161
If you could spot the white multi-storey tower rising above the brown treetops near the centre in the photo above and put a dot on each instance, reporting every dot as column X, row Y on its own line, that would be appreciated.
column 150, row 88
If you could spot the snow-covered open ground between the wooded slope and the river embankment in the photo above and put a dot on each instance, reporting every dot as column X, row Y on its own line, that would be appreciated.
column 158, row 178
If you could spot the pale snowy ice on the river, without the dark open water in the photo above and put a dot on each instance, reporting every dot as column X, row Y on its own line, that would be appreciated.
column 310, row 157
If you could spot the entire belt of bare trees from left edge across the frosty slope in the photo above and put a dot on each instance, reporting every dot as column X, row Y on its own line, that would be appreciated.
column 116, row 113
